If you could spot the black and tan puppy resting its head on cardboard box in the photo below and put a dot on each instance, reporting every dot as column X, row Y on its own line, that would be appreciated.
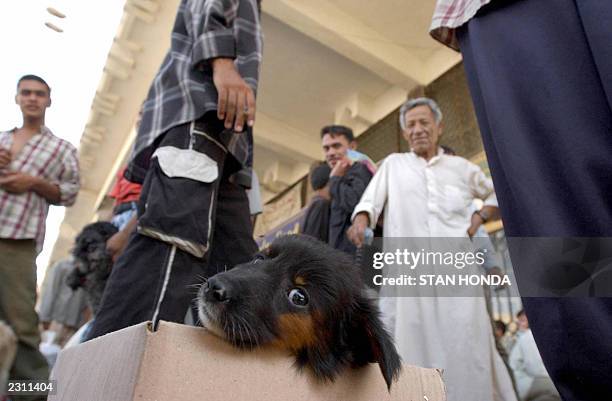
column 306, row 298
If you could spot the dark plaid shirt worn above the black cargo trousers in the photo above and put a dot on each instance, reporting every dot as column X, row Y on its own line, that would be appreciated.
column 183, row 89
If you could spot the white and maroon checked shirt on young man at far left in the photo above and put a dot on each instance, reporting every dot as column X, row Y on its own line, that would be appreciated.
column 22, row 216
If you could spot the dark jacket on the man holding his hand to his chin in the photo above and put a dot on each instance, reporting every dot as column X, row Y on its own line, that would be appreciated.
column 346, row 192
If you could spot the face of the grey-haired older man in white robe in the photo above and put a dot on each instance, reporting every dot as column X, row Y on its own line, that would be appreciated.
column 422, row 132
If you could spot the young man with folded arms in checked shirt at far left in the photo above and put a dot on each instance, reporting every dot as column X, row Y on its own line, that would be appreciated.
column 36, row 169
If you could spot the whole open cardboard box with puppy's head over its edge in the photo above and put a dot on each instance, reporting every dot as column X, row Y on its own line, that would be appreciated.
column 179, row 362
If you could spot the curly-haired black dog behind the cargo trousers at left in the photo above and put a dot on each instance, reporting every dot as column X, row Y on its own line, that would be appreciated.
column 92, row 262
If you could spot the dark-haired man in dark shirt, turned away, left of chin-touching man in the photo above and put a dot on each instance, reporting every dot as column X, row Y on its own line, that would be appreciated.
column 316, row 222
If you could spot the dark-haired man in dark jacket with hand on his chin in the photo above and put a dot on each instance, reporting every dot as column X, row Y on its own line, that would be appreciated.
column 347, row 182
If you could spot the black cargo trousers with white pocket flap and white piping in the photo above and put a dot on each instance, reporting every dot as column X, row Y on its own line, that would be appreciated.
column 157, row 280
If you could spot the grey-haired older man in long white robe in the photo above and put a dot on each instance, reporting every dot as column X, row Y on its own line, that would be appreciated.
column 426, row 193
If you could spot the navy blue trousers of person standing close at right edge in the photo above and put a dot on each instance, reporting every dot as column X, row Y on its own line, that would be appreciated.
column 540, row 76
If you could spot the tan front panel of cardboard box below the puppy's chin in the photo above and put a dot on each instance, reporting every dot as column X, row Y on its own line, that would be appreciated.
column 172, row 340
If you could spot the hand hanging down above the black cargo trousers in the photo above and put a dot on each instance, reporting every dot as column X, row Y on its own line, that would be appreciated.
column 236, row 99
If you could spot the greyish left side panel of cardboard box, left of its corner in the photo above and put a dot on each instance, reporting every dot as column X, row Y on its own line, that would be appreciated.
column 113, row 360
